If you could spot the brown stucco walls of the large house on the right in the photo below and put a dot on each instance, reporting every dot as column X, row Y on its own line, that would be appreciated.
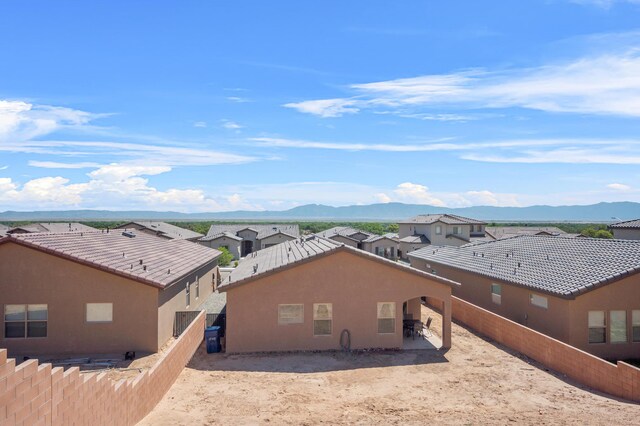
column 564, row 319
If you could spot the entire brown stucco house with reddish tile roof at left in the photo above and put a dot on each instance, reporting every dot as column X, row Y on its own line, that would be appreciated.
column 97, row 292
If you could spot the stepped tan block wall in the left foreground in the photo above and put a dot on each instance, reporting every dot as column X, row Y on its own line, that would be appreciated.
column 39, row 394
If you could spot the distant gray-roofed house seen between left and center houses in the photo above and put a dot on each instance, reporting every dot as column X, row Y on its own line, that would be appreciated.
column 245, row 239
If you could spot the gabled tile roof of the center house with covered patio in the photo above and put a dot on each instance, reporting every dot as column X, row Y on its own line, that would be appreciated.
column 290, row 253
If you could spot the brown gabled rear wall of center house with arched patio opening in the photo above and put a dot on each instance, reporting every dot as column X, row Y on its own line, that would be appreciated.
column 352, row 283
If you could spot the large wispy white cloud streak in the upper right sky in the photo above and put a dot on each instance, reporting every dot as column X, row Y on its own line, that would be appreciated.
column 601, row 84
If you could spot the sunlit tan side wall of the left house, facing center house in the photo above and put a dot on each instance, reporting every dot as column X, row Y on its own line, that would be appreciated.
column 174, row 298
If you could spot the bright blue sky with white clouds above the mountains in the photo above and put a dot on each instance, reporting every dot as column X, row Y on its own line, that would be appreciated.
column 209, row 106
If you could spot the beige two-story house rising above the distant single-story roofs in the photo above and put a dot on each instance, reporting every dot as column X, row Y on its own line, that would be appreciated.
column 439, row 229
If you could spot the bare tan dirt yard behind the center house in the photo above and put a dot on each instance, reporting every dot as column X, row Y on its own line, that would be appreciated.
column 475, row 382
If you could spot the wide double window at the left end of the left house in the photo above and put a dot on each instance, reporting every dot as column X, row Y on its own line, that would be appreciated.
column 25, row 321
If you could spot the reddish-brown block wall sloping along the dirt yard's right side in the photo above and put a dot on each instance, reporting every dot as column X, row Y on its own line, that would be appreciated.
column 621, row 379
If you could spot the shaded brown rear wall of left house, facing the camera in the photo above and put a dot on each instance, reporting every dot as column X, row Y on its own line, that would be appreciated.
column 29, row 276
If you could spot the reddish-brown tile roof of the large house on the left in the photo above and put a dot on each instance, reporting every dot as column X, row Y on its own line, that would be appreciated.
column 163, row 261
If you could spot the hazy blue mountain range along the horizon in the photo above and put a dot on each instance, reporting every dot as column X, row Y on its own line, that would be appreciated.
column 601, row 212
